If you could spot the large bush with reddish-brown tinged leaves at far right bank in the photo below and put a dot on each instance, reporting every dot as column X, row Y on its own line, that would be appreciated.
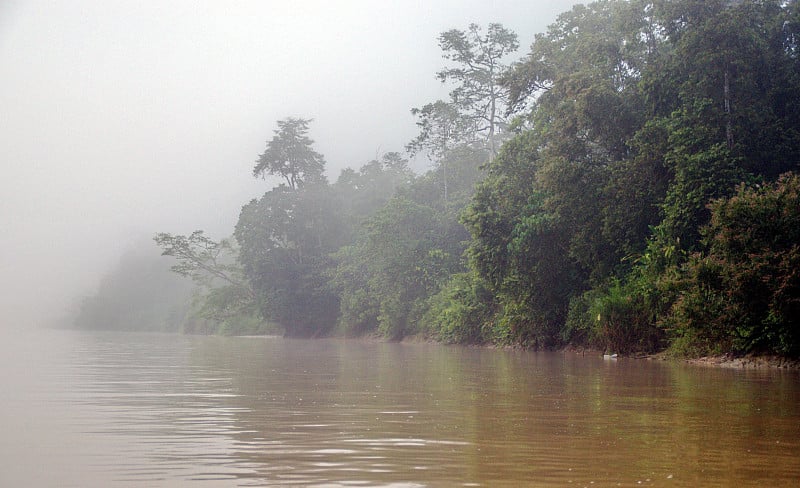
column 743, row 294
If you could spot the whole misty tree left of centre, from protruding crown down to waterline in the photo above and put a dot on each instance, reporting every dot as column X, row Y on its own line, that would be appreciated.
column 286, row 236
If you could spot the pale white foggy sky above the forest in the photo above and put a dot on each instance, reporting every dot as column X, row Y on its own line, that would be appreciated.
column 120, row 119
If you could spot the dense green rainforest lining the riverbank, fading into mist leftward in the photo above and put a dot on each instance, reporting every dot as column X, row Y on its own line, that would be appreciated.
column 627, row 185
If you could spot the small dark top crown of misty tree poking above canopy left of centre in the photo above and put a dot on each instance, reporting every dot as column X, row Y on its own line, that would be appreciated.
column 290, row 155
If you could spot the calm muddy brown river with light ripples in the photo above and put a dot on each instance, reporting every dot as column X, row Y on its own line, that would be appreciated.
column 90, row 409
